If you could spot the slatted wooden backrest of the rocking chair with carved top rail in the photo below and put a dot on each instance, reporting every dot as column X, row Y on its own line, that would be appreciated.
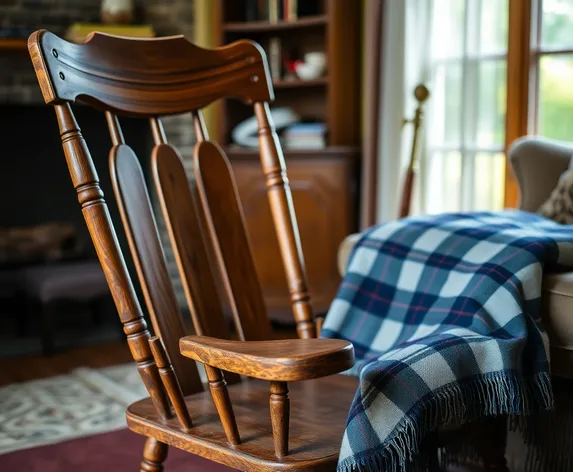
column 150, row 78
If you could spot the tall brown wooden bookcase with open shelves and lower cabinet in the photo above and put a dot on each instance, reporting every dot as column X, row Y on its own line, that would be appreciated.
column 323, row 181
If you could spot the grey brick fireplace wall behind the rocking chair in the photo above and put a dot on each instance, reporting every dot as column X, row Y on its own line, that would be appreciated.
column 18, row 84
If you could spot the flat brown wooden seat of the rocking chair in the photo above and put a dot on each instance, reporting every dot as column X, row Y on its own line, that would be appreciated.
column 318, row 413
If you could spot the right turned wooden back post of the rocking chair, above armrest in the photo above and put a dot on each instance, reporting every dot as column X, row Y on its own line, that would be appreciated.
column 282, row 210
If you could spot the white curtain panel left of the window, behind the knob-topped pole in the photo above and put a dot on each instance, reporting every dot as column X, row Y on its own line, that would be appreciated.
column 405, row 51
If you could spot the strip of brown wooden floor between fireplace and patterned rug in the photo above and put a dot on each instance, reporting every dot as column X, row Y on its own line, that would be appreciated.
column 21, row 369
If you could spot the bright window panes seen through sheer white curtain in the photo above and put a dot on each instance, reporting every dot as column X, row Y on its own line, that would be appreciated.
column 463, row 166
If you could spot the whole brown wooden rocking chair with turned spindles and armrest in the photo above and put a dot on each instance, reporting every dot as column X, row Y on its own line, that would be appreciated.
column 232, row 425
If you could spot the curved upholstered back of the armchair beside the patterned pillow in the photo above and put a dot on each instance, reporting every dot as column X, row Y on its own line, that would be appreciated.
column 538, row 163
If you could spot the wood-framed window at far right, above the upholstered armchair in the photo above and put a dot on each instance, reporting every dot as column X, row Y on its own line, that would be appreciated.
column 541, row 101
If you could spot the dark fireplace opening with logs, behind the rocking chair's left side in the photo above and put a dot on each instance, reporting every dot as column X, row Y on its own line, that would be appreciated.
column 42, row 230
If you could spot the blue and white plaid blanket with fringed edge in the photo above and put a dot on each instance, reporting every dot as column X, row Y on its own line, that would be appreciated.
column 444, row 315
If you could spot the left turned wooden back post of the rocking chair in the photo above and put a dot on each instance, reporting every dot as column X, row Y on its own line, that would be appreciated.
column 96, row 215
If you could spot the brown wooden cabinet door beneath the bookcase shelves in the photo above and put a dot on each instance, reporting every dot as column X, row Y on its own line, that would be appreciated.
column 322, row 190
